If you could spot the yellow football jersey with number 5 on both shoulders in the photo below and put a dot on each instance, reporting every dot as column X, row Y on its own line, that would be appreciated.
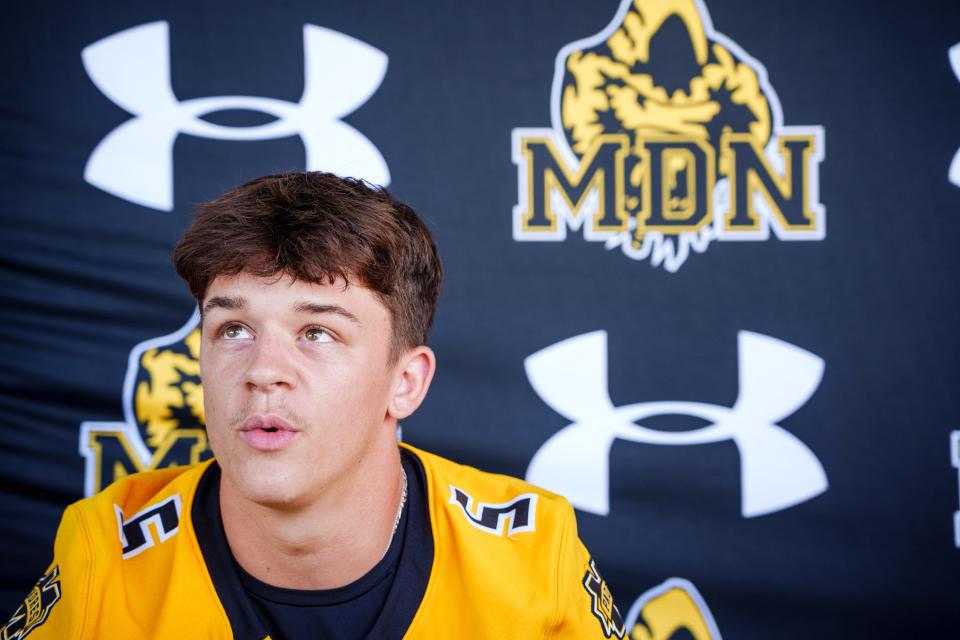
column 507, row 563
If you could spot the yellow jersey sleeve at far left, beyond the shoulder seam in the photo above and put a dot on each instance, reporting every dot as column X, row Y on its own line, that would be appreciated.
column 57, row 605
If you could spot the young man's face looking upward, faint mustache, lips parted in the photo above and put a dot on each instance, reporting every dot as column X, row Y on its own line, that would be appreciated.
column 297, row 383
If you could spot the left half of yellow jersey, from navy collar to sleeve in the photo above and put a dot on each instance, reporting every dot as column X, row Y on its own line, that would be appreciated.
column 122, row 558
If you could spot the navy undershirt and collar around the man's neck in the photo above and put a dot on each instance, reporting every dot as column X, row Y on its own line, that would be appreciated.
column 380, row 603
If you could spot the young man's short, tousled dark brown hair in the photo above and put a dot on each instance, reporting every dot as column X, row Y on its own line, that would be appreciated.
column 319, row 228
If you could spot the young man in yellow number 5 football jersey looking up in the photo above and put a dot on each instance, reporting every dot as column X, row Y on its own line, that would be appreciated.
column 317, row 294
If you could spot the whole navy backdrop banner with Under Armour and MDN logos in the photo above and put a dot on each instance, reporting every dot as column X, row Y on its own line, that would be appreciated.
column 700, row 255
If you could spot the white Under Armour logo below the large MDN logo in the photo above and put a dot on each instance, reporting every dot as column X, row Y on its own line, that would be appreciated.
column 776, row 378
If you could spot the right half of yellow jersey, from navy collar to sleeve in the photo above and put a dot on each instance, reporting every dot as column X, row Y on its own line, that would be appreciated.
column 507, row 561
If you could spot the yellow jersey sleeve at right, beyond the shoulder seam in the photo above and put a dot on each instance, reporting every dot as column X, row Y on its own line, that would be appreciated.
column 585, row 607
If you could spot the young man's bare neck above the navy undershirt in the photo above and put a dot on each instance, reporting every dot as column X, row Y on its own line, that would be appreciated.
column 329, row 541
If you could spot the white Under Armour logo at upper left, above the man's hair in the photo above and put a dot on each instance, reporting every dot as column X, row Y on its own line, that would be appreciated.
column 135, row 160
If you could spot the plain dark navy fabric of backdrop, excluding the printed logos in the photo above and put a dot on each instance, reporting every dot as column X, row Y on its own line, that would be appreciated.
column 85, row 276
